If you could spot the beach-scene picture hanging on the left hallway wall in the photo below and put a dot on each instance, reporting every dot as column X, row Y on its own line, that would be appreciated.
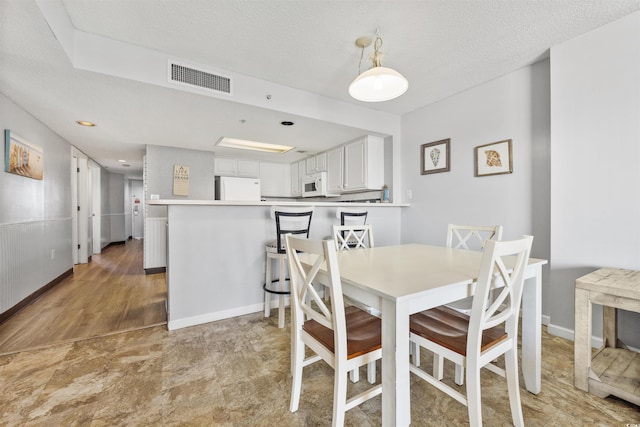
column 21, row 157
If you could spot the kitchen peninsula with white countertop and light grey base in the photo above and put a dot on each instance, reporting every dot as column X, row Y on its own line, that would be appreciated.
column 216, row 252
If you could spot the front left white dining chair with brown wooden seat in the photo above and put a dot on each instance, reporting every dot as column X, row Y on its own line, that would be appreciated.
column 344, row 337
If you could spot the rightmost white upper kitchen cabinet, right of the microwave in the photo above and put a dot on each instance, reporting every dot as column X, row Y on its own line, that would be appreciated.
column 364, row 164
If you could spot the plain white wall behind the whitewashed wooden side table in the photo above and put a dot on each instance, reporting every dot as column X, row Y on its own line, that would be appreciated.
column 595, row 168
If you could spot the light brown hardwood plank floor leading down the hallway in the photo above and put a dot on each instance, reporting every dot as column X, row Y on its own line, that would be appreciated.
column 111, row 294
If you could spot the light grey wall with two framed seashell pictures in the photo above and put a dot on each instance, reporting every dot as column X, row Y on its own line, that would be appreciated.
column 514, row 107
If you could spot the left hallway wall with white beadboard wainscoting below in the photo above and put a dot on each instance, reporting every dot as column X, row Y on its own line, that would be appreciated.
column 35, row 215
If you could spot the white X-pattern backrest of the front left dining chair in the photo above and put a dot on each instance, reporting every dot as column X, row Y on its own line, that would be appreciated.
column 307, row 303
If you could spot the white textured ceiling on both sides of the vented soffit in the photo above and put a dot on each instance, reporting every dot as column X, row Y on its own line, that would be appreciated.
column 441, row 47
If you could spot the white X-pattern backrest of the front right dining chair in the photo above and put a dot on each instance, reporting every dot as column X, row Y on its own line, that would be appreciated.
column 504, row 262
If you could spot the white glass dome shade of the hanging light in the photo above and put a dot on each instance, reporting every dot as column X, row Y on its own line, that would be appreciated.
column 378, row 84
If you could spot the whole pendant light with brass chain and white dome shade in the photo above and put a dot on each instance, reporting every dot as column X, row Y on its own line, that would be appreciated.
column 378, row 83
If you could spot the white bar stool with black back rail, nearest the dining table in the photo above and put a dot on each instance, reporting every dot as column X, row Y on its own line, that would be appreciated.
column 289, row 220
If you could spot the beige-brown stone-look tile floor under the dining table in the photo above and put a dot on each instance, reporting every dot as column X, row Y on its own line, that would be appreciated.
column 235, row 372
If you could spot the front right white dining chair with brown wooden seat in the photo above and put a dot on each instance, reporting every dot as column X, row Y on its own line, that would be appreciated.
column 490, row 331
